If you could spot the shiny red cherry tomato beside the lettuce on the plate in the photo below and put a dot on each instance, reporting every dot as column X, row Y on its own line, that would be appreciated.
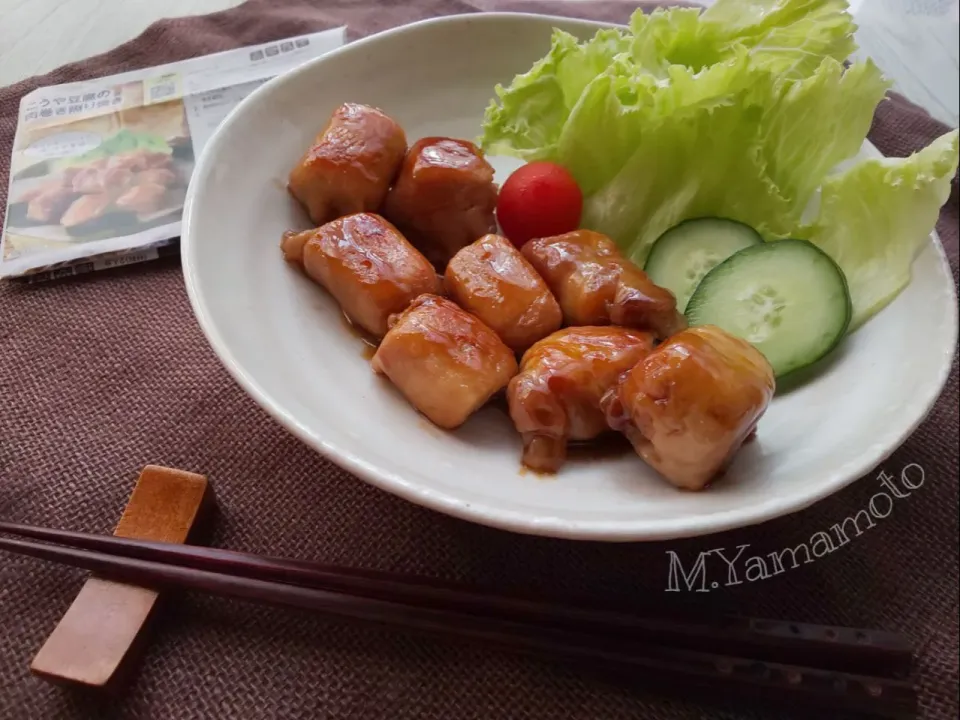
column 541, row 199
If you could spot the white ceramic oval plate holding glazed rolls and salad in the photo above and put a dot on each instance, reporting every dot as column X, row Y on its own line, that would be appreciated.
column 284, row 341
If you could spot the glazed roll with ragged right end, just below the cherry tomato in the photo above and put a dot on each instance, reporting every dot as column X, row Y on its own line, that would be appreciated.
column 596, row 285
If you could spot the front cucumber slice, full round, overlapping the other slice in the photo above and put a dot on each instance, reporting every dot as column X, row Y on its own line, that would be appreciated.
column 788, row 298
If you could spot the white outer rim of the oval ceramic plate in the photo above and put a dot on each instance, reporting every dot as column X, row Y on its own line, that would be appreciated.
column 484, row 513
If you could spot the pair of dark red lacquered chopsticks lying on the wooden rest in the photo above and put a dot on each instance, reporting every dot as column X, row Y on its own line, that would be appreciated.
column 837, row 668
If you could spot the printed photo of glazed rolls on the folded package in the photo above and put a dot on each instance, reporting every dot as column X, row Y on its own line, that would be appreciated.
column 111, row 175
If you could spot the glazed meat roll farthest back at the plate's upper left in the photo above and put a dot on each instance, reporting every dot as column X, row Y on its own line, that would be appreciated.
column 351, row 164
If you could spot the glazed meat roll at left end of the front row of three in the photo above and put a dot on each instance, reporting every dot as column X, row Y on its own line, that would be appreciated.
column 446, row 362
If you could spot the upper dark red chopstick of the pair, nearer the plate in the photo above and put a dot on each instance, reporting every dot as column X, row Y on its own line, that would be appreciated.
column 839, row 648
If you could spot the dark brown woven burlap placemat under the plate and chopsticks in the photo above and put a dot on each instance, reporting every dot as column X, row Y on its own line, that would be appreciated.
column 103, row 374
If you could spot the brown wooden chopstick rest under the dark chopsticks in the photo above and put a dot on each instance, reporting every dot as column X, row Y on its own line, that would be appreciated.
column 99, row 638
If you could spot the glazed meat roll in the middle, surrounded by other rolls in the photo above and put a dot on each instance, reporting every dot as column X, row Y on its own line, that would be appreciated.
column 492, row 280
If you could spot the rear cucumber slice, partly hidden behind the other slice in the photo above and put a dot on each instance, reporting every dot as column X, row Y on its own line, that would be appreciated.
column 685, row 253
